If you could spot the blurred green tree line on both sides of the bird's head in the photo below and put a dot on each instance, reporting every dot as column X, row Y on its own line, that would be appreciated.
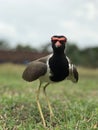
column 87, row 57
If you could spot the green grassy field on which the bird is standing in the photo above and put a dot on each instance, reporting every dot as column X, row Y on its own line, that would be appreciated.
column 75, row 106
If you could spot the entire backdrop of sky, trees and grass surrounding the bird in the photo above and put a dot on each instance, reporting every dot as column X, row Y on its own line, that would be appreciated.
column 26, row 28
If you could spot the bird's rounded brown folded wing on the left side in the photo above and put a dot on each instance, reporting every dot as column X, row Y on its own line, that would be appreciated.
column 34, row 70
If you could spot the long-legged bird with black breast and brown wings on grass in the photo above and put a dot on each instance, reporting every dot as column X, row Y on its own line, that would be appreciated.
column 52, row 68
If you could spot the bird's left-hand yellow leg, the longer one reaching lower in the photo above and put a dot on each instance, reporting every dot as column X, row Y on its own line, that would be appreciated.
column 39, row 106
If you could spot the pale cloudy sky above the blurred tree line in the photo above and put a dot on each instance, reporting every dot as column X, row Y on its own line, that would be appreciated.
column 34, row 22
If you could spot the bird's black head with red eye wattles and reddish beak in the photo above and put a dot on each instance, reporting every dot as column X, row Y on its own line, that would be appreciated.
column 58, row 43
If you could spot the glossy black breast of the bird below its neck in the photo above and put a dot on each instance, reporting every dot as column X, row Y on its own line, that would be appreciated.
column 59, row 68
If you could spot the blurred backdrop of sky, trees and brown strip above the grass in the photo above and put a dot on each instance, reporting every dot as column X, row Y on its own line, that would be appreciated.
column 26, row 28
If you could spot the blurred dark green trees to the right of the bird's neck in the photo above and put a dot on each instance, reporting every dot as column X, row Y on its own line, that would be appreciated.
column 86, row 57
